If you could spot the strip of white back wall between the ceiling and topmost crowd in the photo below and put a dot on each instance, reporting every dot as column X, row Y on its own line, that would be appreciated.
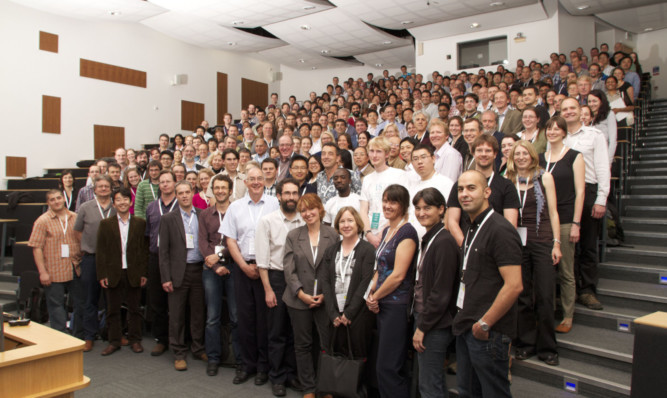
column 300, row 83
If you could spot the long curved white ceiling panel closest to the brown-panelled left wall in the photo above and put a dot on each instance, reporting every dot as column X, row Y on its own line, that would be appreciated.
column 208, row 34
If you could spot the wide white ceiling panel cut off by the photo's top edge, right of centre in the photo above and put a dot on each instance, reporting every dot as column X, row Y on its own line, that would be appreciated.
column 391, row 13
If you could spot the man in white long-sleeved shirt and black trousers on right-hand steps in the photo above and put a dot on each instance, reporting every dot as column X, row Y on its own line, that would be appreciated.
column 593, row 146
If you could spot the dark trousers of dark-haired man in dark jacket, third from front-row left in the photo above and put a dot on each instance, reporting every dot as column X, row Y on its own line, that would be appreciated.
column 132, row 297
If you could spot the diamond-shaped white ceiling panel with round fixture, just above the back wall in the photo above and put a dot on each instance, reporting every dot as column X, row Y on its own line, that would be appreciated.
column 336, row 31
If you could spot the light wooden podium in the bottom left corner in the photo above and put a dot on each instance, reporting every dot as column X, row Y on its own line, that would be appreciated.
column 40, row 362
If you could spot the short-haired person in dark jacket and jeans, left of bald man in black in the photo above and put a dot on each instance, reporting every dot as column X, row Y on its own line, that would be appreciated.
column 436, row 289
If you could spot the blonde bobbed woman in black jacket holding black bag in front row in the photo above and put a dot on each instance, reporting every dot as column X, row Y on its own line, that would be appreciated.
column 347, row 272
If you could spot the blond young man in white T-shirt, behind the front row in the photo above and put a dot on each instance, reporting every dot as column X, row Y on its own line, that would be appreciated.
column 373, row 187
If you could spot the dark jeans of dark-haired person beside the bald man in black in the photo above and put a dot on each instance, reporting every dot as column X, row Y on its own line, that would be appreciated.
column 432, row 381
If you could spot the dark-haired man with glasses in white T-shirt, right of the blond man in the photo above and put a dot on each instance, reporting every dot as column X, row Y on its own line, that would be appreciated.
column 423, row 161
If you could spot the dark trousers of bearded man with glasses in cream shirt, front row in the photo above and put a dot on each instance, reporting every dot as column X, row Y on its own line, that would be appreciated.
column 282, row 359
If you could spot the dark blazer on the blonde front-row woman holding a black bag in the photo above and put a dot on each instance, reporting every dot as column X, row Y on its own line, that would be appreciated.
column 362, row 274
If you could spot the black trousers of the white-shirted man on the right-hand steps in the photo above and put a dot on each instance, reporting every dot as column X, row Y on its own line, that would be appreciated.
column 586, row 257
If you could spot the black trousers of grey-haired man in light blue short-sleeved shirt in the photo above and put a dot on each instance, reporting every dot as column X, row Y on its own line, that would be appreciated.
column 251, row 313
